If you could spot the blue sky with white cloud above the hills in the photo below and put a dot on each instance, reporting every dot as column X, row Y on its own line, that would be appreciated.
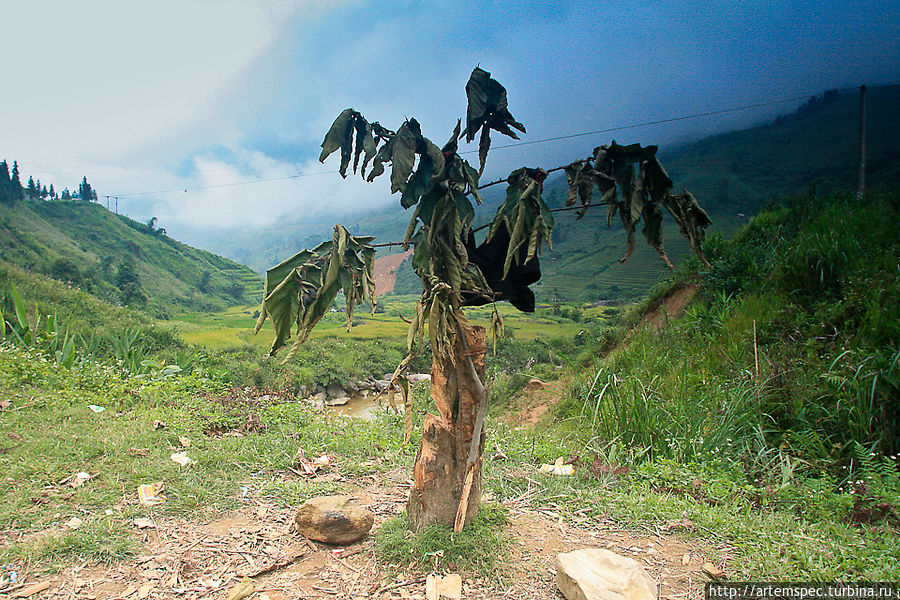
column 184, row 95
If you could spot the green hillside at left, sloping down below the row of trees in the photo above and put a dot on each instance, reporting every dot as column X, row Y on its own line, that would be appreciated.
column 119, row 259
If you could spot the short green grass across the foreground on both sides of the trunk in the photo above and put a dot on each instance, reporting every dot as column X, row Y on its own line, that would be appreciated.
column 775, row 524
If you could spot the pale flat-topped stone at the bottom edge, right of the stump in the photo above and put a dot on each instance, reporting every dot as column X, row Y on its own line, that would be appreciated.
column 598, row 574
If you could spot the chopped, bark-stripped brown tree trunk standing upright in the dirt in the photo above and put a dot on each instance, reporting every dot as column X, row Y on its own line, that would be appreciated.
column 447, row 472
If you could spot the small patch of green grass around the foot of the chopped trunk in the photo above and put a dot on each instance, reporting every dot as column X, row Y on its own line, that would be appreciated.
column 477, row 548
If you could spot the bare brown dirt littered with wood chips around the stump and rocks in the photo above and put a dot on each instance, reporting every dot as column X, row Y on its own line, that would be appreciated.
column 191, row 560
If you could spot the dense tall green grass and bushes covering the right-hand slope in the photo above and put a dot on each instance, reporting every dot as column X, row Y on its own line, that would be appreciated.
column 782, row 352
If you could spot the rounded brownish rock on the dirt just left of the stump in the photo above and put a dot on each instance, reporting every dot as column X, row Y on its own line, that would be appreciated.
column 336, row 520
